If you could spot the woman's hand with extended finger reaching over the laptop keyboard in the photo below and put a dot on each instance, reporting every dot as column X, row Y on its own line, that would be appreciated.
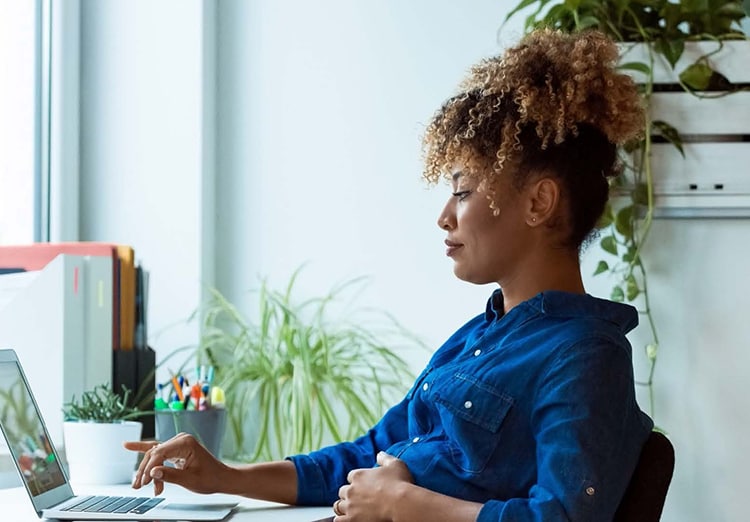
column 194, row 468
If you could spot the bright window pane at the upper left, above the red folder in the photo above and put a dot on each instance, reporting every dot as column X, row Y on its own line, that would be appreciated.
column 20, row 132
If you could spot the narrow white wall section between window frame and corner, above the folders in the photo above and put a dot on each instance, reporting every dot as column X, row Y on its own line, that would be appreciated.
column 143, row 147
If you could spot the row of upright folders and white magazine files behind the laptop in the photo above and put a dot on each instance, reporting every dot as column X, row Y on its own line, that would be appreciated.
column 76, row 313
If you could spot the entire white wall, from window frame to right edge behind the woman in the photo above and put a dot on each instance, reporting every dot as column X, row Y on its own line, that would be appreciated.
column 319, row 110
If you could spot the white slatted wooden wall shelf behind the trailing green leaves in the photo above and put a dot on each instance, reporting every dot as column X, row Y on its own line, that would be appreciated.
column 713, row 179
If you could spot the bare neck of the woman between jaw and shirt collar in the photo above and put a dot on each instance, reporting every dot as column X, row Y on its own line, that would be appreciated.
column 556, row 269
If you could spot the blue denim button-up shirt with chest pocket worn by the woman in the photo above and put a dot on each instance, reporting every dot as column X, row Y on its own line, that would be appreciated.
column 531, row 413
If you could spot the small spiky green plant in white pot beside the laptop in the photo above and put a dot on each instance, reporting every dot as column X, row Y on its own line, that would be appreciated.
column 95, row 427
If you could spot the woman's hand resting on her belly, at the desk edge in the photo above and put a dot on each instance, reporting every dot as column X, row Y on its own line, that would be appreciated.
column 370, row 494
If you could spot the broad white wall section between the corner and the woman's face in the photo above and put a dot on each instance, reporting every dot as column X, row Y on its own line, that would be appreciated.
column 322, row 106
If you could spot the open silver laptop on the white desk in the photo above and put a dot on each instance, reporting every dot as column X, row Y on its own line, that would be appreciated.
column 45, row 478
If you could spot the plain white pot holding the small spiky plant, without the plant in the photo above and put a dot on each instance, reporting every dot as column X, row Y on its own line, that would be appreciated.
column 95, row 453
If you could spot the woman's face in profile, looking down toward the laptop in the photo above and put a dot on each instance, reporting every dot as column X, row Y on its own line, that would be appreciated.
column 485, row 248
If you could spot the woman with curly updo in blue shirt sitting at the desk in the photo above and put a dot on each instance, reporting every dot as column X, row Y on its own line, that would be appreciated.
column 528, row 411
